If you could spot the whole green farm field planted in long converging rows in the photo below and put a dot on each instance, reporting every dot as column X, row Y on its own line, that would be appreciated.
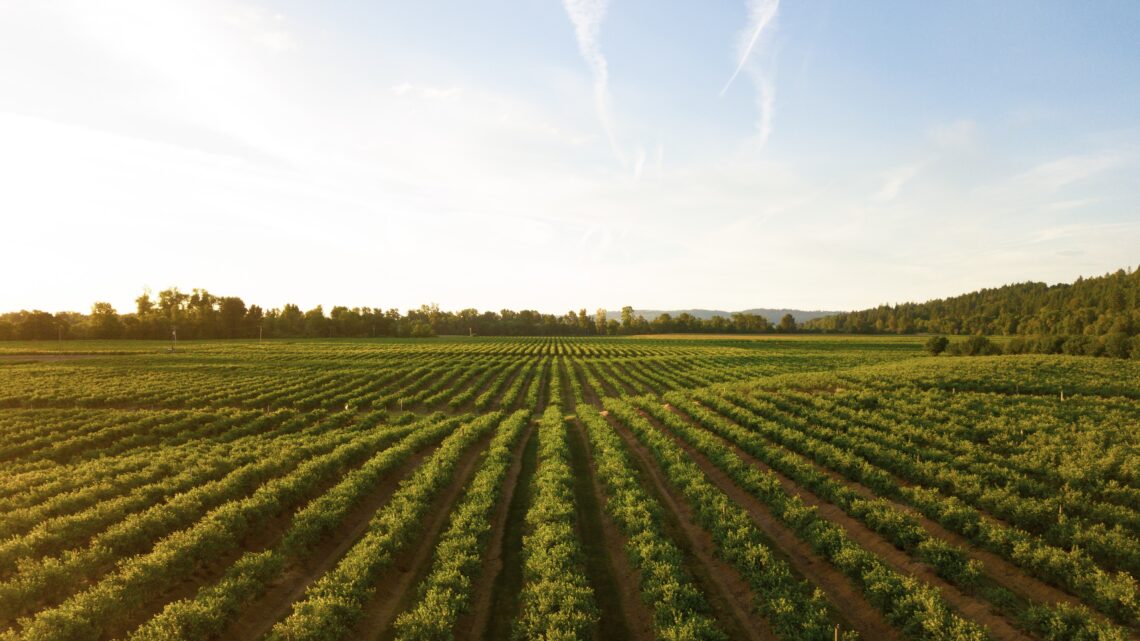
column 485, row 489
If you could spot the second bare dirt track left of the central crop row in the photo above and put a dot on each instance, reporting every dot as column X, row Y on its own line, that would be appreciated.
column 396, row 587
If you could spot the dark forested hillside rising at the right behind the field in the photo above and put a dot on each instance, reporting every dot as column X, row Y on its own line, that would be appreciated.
column 1100, row 306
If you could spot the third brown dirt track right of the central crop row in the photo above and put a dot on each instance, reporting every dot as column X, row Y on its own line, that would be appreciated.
column 850, row 606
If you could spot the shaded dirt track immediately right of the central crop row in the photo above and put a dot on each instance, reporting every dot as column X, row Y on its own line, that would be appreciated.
column 624, row 615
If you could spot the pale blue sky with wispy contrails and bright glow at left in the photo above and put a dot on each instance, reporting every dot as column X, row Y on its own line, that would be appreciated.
column 552, row 156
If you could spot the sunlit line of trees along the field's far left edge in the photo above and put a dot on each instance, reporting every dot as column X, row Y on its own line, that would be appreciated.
column 203, row 315
